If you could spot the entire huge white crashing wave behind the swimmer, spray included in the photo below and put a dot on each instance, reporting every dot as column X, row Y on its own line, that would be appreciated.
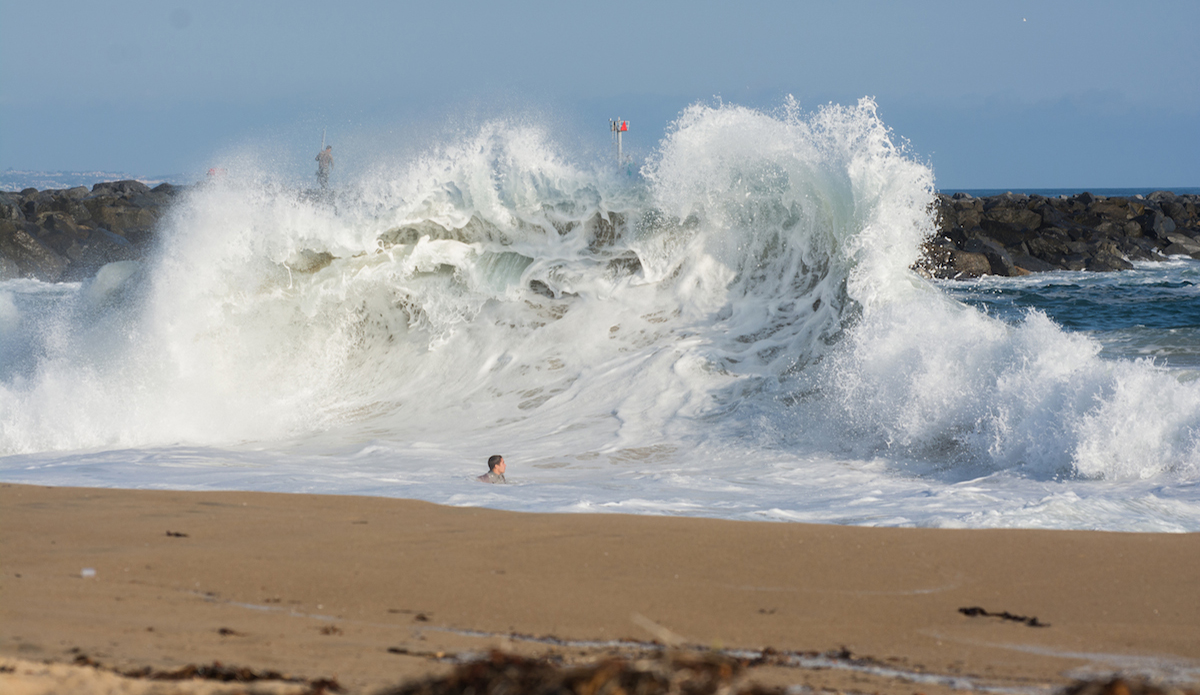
column 751, row 290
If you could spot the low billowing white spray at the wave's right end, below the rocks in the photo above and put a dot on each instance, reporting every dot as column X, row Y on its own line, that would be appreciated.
column 944, row 388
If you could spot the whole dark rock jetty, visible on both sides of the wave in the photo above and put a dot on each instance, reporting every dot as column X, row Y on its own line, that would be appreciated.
column 68, row 235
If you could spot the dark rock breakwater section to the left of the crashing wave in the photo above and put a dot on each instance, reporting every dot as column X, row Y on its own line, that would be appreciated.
column 67, row 236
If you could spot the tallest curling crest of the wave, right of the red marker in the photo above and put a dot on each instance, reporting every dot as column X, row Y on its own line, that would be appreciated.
column 811, row 218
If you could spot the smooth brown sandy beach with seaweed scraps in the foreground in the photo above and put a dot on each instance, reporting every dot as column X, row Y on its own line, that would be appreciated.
column 374, row 592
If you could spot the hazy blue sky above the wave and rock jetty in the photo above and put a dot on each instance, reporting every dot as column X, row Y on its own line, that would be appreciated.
column 1045, row 94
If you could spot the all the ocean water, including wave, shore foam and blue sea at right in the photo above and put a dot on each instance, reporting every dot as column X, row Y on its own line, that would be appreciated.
column 728, row 329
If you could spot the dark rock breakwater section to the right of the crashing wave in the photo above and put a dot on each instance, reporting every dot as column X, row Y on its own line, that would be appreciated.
column 1017, row 235
